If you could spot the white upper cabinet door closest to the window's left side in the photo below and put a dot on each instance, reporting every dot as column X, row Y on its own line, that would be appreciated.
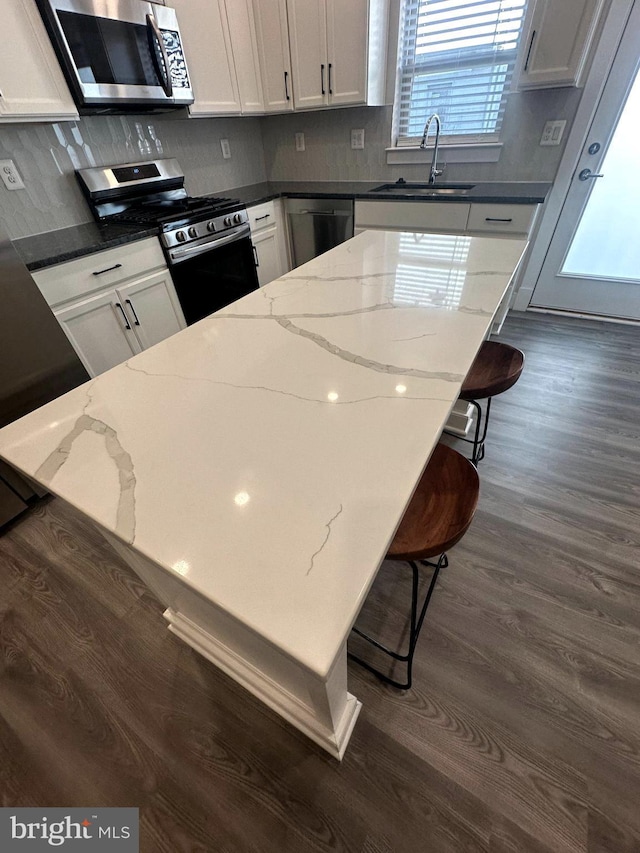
column 347, row 29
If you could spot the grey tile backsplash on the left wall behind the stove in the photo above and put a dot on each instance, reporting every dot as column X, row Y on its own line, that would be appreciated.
column 46, row 156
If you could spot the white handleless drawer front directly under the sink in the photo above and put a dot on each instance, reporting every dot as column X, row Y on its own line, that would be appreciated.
column 412, row 215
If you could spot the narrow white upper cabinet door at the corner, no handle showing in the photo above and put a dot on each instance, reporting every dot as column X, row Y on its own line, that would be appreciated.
column 242, row 29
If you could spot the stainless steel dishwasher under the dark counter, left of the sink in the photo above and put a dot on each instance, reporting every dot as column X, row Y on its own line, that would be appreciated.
column 317, row 225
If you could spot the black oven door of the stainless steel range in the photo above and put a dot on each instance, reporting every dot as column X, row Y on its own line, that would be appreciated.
column 209, row 280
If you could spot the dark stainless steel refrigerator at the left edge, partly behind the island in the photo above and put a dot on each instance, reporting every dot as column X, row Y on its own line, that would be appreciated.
column 37, row 364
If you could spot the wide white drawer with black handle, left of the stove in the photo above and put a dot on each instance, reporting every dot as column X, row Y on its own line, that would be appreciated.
column 91, row 273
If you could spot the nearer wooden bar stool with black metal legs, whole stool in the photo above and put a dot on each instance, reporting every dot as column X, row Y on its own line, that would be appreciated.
column 440, row 512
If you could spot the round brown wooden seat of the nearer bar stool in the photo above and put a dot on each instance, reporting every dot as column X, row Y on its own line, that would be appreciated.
column 441, row 508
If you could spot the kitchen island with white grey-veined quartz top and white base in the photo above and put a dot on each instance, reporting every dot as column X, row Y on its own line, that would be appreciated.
column 252, row 469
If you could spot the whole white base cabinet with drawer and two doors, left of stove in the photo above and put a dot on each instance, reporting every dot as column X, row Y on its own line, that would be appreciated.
column 113, row 304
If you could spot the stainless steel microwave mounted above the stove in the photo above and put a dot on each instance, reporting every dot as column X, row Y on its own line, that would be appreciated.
column 119, row 55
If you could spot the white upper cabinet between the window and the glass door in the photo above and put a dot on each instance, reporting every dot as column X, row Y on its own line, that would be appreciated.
column 556, row 39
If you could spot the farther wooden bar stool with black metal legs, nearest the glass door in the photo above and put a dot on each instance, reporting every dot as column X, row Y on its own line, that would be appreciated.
column 495, row 369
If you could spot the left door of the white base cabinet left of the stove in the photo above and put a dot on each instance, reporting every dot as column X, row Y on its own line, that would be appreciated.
column 99, row 331
